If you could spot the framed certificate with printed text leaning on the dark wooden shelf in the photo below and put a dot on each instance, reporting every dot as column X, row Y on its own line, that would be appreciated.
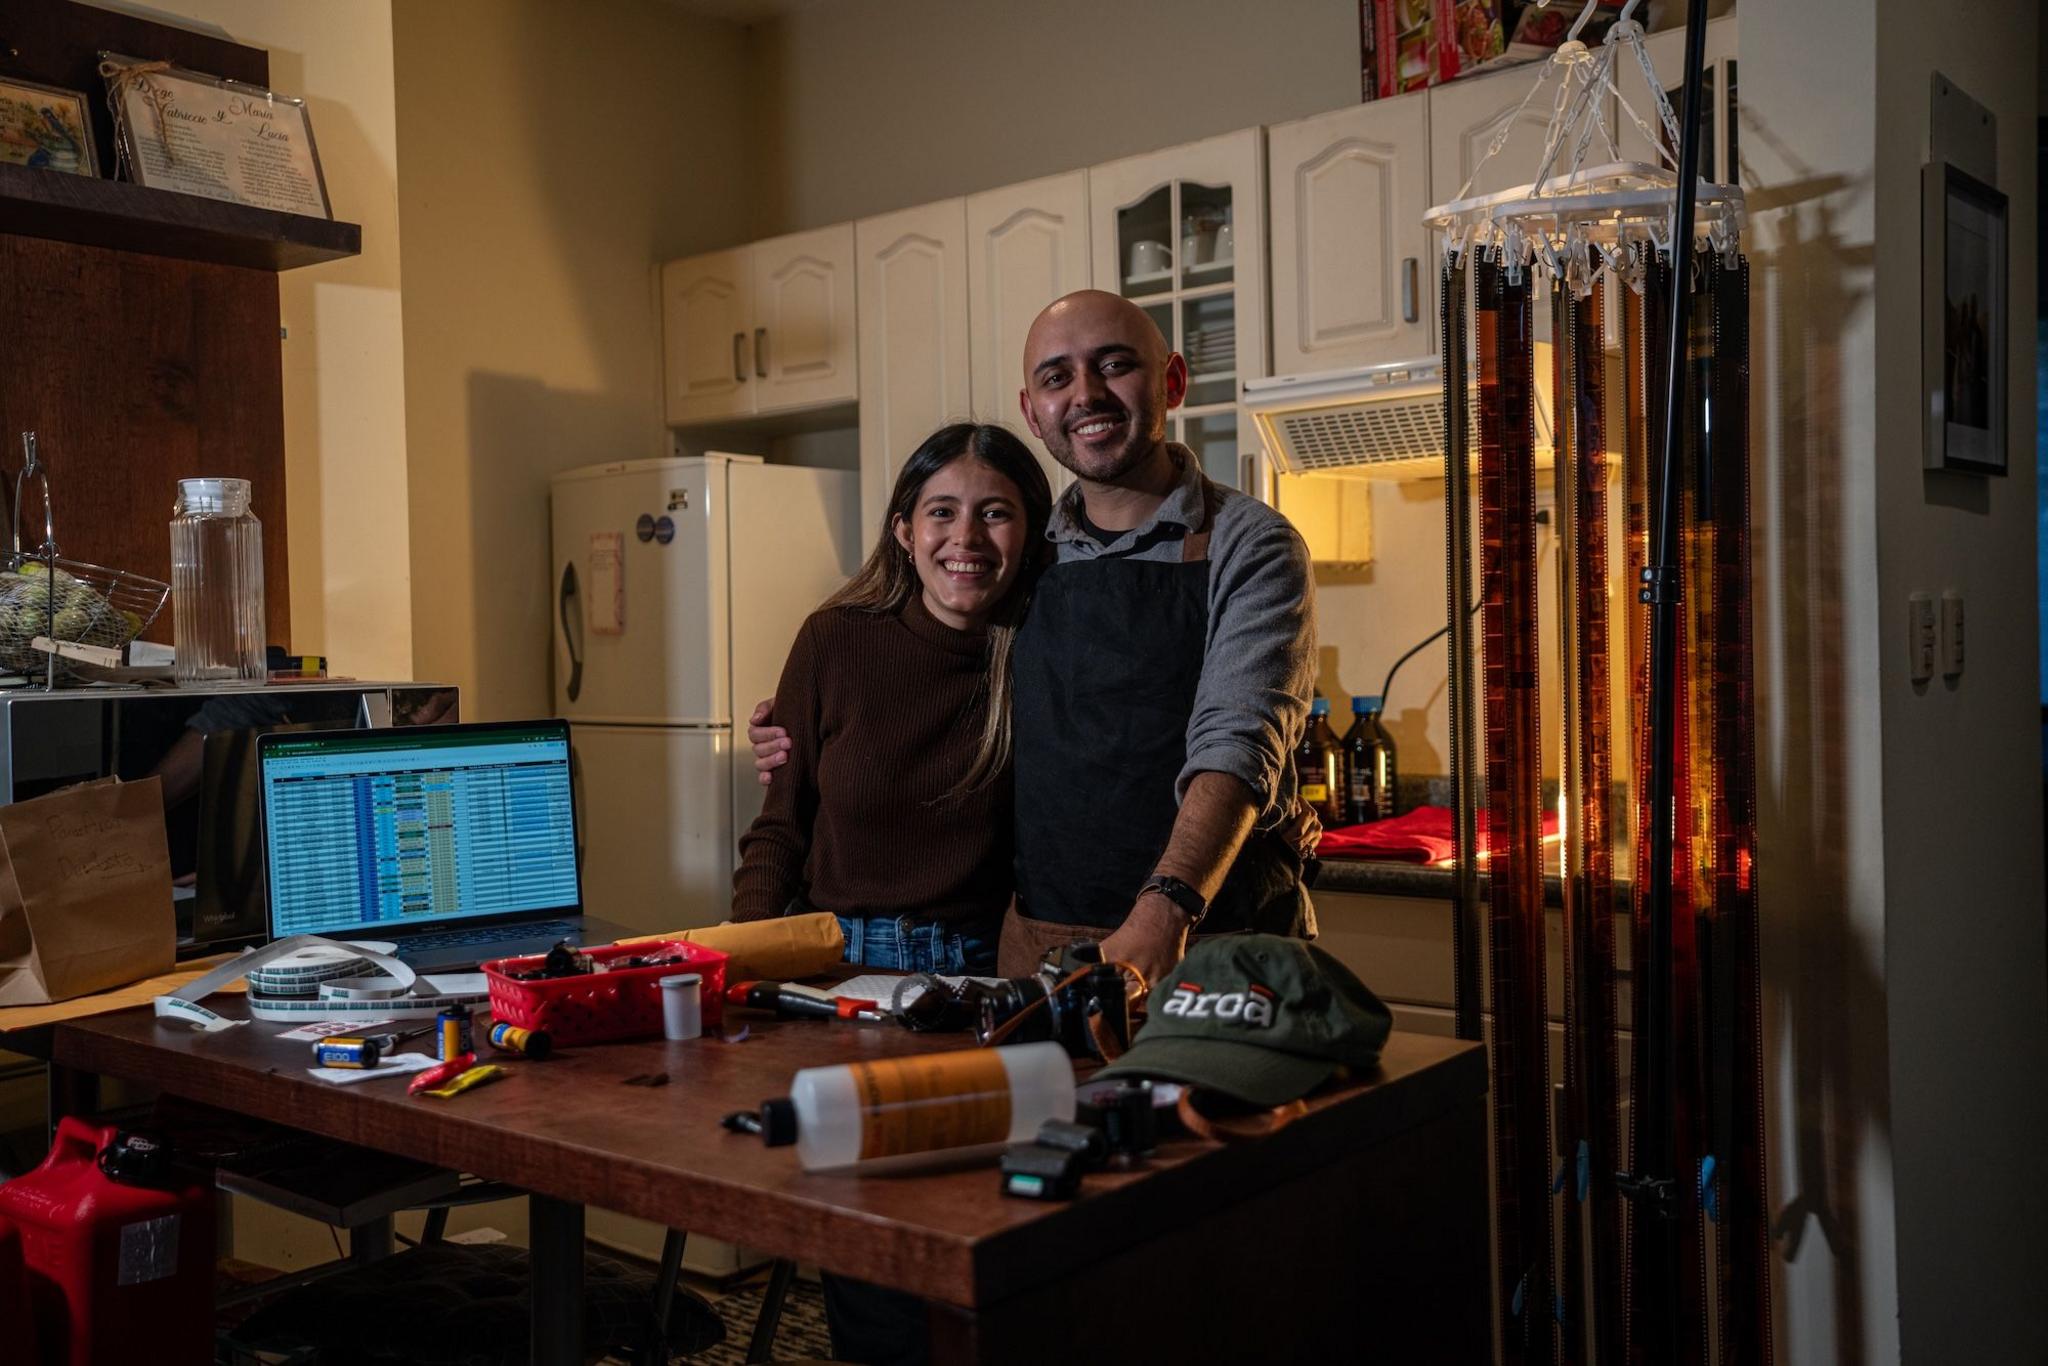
column 218, row 138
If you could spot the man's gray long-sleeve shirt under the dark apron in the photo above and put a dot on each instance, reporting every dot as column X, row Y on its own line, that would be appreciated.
column 1258, row 663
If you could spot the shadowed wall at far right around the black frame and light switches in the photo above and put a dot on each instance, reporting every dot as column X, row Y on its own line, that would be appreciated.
column 1965, row 941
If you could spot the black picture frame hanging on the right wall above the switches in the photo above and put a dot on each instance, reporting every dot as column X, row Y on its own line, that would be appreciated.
column 1965, row 321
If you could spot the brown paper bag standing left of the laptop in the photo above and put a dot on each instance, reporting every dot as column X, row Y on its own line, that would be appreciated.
column 85, row 892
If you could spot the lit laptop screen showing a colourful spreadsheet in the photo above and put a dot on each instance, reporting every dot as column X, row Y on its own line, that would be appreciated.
column 402, row 828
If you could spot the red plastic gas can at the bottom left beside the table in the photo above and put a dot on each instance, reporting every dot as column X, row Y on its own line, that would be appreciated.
column 118, row 1273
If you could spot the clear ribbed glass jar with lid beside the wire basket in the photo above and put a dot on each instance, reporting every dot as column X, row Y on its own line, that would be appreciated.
column 216, row 585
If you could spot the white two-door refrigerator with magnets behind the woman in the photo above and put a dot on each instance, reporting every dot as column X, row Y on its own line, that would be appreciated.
column 679, row 589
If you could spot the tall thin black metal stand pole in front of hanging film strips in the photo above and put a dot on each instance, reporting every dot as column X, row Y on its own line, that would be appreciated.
column 1656, row 1179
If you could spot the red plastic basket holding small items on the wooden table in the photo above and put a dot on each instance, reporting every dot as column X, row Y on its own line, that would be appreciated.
column 605, row 1007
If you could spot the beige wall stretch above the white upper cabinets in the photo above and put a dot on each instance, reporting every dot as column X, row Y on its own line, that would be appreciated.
column 873, row 105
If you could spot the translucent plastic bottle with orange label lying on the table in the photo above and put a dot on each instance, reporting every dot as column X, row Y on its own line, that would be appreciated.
column 929, row 1103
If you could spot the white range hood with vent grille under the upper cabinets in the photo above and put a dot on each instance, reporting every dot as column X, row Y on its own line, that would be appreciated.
column 1375, row 423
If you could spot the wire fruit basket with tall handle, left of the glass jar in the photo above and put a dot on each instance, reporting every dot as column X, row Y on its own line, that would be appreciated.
column 46, row 595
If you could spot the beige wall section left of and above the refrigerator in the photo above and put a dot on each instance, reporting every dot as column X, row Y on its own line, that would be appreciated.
column 554, row 155
